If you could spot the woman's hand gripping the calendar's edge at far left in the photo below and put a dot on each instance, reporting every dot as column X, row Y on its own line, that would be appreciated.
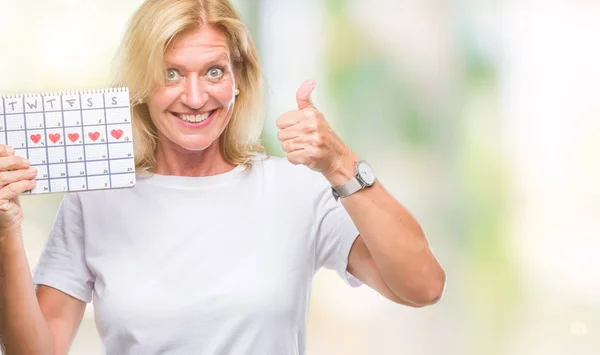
column 16, row 177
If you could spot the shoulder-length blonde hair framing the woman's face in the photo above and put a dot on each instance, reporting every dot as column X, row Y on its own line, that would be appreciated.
column 140, row 66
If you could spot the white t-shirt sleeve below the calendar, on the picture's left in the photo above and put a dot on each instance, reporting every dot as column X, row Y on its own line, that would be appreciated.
column 62, row 264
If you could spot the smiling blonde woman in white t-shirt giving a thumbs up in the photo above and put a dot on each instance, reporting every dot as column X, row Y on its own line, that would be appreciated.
column 213, row 251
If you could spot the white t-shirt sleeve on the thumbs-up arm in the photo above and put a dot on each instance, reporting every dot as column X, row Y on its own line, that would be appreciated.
column 335, row 233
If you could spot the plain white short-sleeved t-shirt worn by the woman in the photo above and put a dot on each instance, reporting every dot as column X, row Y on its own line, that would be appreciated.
column 201, row 265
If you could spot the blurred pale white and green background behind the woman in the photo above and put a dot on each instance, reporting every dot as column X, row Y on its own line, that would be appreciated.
column 482, row 117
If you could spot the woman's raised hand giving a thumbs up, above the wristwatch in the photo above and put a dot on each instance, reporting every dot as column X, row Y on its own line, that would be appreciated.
column 309, row 140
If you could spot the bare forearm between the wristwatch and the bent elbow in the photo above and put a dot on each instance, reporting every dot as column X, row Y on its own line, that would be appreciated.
column 397, row 245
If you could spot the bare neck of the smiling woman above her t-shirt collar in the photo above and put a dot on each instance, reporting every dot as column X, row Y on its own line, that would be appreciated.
column 172, row 159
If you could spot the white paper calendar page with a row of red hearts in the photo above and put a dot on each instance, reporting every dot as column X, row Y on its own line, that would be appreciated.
column 77, row 140
